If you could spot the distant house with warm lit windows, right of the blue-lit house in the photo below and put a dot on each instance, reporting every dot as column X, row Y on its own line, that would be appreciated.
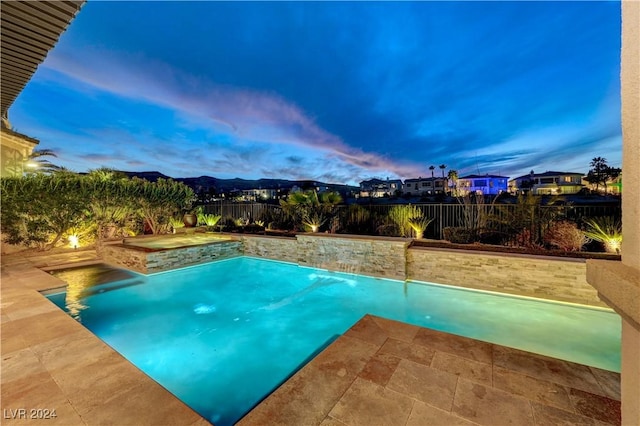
column 547, row 183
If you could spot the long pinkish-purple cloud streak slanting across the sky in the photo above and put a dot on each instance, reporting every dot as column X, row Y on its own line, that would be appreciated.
column 247, row 116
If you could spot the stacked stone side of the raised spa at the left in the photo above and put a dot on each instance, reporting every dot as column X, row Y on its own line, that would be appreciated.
column 149, row 262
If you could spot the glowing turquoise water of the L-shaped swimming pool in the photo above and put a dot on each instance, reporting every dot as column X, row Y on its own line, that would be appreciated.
column 223, row 335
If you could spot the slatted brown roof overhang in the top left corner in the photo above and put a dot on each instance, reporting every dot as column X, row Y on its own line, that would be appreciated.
column 28, row 32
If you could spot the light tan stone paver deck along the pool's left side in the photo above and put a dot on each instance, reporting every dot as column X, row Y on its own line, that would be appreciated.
column 51, row 362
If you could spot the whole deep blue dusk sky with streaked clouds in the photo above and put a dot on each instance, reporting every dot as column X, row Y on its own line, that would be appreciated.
column 331, row 91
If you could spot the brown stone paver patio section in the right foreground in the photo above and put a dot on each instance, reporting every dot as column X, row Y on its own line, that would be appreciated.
column 384, row 372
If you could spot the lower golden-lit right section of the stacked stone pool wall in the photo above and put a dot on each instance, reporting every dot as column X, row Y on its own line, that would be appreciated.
column 535, row 276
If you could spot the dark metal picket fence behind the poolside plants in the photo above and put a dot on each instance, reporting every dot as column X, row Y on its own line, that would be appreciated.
column 444, row 215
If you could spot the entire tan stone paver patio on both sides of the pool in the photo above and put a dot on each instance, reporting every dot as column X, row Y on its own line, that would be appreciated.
column 379, row 372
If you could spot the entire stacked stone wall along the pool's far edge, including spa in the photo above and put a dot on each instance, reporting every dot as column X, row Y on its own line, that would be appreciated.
column 561, row 279
